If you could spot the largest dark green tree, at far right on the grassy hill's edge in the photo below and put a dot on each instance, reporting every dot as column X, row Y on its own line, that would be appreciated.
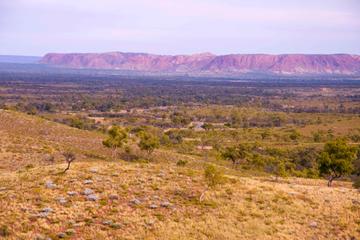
column 336, row 160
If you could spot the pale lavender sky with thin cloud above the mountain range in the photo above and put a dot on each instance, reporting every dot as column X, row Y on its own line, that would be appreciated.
column 36, row 27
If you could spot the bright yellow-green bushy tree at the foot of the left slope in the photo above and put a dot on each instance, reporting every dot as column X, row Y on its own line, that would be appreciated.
column 116, row 139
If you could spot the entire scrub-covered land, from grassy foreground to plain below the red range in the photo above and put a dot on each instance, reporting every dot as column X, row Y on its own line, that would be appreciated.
column 202, row 160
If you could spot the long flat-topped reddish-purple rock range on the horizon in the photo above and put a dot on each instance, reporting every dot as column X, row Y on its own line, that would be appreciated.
column 211, row 64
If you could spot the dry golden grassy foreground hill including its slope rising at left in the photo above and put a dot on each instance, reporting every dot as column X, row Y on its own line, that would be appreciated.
column 99, row 198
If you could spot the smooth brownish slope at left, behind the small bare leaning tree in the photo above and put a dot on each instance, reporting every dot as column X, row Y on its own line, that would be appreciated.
column 31, row 141
